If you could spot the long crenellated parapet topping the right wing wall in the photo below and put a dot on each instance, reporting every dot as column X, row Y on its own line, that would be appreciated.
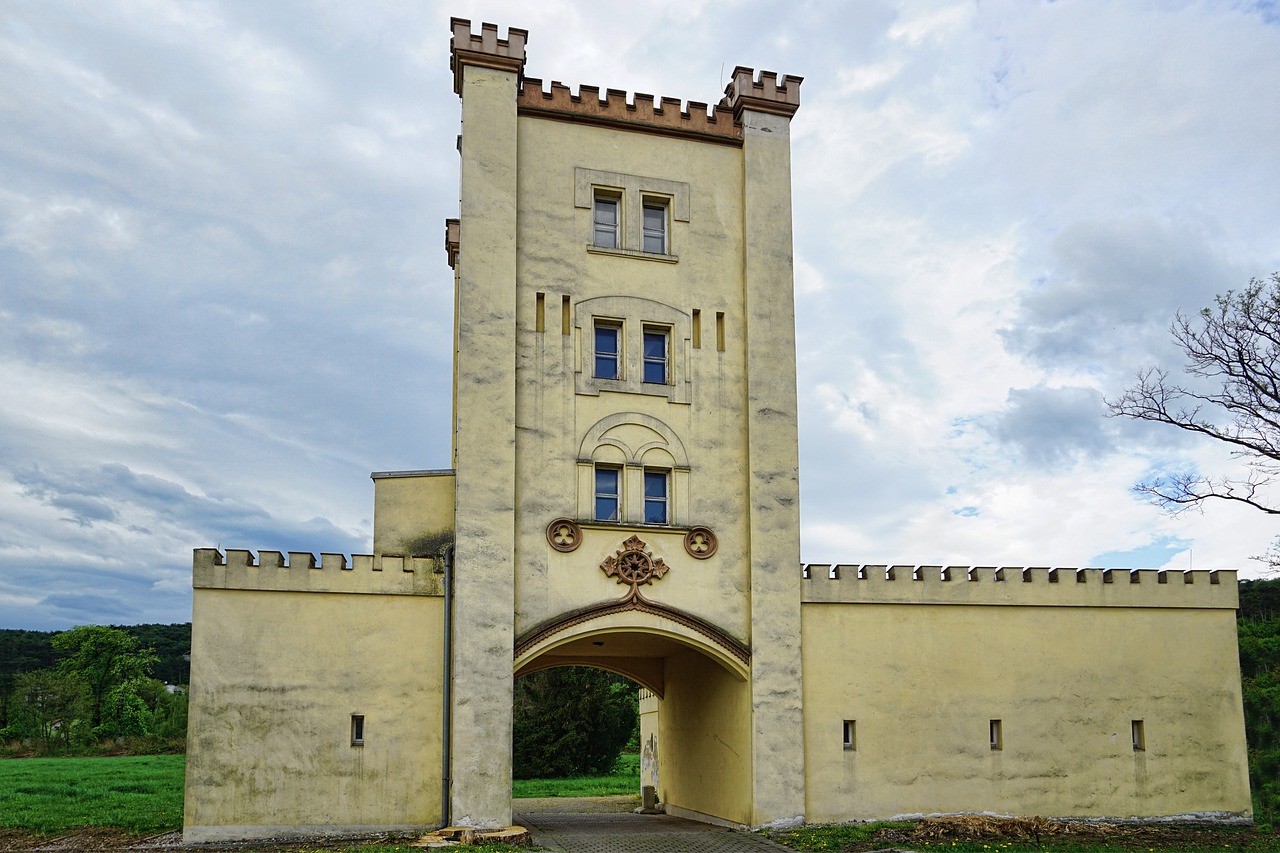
column 1030, row 587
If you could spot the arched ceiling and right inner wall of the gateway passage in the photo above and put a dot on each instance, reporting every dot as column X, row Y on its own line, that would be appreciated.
column 696, row 710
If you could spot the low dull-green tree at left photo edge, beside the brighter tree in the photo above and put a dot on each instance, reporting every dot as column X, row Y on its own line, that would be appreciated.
column 51, row 709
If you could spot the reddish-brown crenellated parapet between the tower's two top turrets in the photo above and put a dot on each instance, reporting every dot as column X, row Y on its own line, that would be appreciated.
column 643, row 112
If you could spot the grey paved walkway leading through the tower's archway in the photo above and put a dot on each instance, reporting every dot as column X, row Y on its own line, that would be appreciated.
column 607, row 825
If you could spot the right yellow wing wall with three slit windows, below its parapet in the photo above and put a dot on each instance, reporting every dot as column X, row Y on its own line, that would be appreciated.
column 924, row 683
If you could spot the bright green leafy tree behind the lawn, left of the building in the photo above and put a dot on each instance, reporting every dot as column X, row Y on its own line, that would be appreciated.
column 113, row 667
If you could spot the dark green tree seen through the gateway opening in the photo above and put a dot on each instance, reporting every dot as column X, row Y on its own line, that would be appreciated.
column 572, row 722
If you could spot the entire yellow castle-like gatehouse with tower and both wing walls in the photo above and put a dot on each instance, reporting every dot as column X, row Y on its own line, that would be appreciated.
column 624, row 494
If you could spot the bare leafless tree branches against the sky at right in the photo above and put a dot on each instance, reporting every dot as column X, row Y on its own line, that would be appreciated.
column 1233, row 357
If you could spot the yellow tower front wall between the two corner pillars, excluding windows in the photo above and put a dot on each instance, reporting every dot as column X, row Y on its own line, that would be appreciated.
column 557, row 408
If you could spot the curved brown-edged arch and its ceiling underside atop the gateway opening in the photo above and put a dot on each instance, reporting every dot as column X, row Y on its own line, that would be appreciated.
column 630, row 642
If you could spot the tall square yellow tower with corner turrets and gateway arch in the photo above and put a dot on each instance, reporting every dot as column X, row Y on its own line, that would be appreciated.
column 625, row 423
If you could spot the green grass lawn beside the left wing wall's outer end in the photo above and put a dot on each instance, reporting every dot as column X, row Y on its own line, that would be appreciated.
column 139, row 793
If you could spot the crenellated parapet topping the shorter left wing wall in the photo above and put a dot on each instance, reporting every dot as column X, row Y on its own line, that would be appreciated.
column 301, row 572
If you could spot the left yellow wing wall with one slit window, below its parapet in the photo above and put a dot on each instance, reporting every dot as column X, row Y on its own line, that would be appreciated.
column 276, row 681
